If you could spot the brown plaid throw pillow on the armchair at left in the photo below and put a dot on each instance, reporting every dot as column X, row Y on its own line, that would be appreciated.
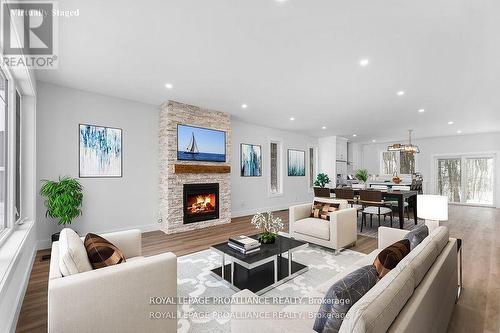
column 101, row 252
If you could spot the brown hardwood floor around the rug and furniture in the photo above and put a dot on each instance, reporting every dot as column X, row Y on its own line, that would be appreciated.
column 477, row 310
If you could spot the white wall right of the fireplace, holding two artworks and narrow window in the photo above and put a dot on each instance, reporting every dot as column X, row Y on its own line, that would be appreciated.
column 251, row 194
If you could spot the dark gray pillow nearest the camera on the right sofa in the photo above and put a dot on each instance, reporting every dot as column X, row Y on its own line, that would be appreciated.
column 342, row 296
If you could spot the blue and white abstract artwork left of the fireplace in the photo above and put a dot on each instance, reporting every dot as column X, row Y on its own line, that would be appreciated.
column 100, row 151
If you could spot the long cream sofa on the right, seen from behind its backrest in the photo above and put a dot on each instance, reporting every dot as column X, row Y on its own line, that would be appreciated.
column 417, row 296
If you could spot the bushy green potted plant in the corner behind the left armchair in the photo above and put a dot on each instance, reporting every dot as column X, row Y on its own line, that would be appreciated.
column 63, row 200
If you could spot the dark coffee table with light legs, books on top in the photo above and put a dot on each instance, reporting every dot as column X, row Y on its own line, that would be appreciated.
column 262, row 270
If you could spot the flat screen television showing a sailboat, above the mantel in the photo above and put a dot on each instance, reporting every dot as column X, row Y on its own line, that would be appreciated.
column 200, row 144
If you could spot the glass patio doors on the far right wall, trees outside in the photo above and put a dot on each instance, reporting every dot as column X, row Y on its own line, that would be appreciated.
column 466, row 179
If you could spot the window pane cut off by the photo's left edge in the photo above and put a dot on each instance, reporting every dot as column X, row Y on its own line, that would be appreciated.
column 3, row 149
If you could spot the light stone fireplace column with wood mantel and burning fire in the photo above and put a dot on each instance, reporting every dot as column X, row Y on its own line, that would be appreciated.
column 189, row 199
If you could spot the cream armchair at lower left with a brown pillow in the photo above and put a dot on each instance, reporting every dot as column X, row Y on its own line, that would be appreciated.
column 114, row 298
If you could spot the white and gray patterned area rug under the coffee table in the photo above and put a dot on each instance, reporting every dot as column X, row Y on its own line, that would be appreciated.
column 196, row 281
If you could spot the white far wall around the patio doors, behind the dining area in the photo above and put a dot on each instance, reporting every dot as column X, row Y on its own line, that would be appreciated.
column 432, row 147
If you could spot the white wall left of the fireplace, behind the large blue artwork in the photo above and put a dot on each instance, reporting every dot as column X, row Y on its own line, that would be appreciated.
column 109, row 203
